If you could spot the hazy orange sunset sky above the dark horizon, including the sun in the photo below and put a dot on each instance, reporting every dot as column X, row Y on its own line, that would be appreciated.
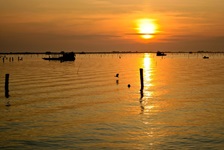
column 111, row 25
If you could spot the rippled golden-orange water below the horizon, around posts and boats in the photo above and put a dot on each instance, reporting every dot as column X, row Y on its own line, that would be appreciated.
column 81, row 105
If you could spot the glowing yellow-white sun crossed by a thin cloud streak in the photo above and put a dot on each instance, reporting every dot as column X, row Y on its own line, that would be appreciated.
column 146, row 28
